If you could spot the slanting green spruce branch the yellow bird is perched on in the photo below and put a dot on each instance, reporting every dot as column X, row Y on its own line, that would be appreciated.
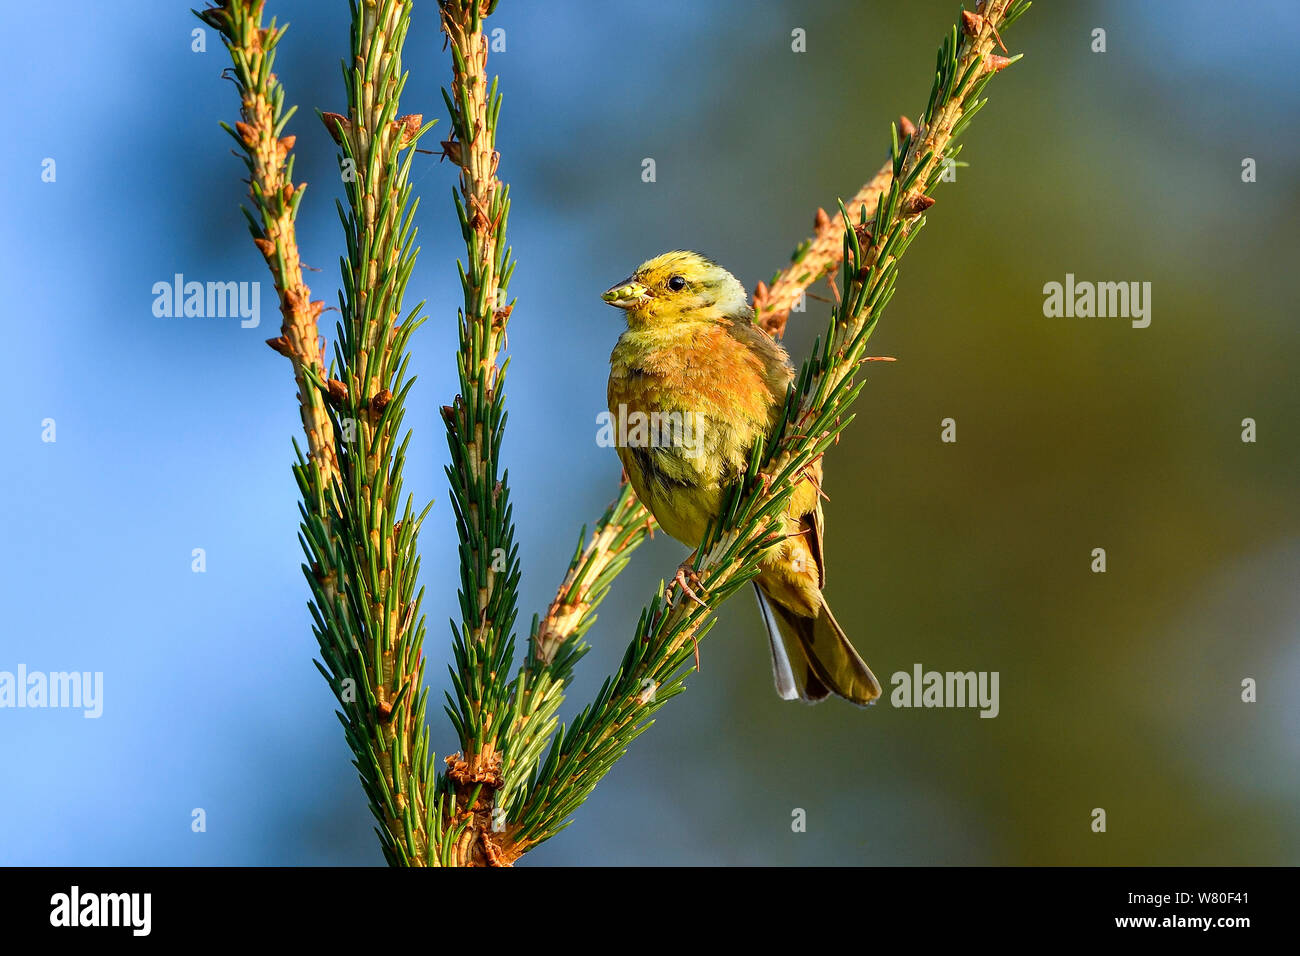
column 816, row 413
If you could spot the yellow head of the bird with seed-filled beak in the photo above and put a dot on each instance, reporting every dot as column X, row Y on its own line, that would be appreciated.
column 678, row 287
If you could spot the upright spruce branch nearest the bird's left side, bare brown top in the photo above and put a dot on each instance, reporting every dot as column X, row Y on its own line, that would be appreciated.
column 483, row 708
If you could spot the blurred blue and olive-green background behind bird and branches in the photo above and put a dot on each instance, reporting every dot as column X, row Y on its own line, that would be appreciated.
column 1119, row 691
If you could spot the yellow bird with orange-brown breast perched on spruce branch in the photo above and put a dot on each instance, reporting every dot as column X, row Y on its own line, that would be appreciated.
column 694, row 384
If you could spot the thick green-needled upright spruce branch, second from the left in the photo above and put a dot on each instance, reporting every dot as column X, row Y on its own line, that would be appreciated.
column 372, row 634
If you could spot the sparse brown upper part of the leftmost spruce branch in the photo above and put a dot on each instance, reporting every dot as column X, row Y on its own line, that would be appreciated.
column 270, row 159
